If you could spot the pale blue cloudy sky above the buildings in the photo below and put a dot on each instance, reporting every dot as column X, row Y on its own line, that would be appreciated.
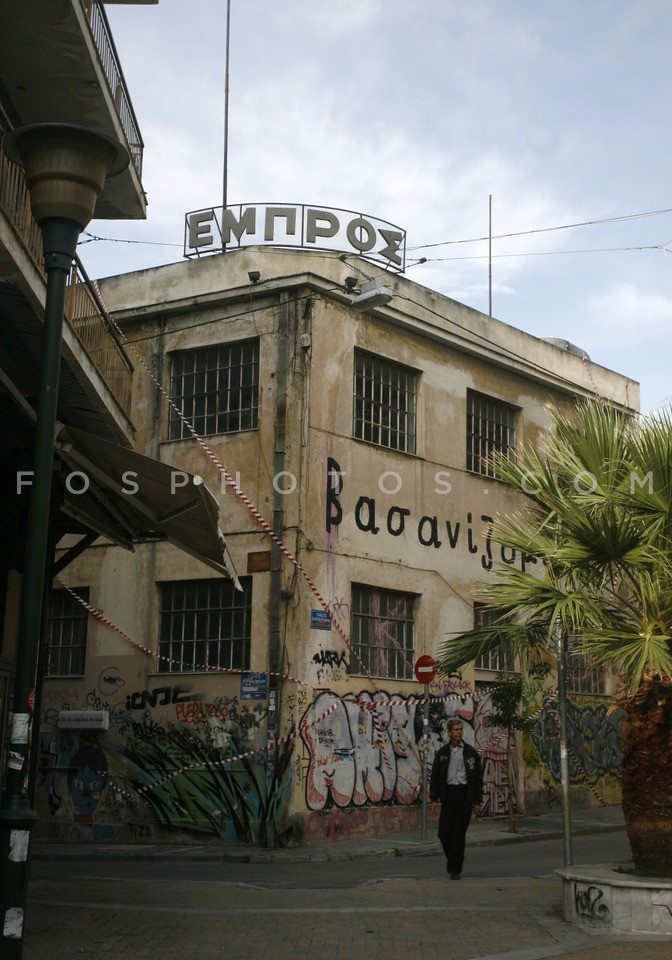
column 416, row 112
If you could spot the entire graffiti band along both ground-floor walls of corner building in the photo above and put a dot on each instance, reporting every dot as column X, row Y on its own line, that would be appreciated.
column 176, row 760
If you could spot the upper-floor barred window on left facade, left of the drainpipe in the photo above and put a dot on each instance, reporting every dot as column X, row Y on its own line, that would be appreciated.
column 216, row 388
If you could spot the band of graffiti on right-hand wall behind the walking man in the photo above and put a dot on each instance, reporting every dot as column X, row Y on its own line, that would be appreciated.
column 366, row 749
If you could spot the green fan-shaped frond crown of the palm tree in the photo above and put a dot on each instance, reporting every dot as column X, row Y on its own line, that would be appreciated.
column 598, row 519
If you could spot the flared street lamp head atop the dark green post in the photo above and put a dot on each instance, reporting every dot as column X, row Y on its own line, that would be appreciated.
column 66, row 167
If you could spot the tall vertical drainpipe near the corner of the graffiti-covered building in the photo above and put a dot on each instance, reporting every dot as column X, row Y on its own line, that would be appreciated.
column 274, row 646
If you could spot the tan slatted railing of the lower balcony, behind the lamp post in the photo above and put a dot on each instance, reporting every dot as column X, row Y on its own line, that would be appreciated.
column 83, row 310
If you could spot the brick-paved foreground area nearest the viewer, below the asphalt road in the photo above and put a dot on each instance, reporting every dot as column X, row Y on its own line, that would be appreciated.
column 391, row 917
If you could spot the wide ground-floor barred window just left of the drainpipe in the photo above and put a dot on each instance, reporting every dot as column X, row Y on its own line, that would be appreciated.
column 205, row 625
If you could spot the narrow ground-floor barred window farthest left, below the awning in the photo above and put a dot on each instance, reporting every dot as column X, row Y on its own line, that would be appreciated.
column 68, row 620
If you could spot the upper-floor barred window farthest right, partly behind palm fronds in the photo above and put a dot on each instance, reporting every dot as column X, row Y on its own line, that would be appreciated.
column 491, row 428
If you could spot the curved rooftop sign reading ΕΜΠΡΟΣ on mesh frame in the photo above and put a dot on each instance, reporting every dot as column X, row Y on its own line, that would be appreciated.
column 294, row 225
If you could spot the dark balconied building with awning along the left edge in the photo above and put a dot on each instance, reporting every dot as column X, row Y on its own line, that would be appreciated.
column 59, row 65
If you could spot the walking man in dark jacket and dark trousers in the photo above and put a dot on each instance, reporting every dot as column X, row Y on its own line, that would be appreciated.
column 457, row 782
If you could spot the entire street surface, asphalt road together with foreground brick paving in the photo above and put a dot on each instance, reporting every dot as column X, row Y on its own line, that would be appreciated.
column 389, row 908
